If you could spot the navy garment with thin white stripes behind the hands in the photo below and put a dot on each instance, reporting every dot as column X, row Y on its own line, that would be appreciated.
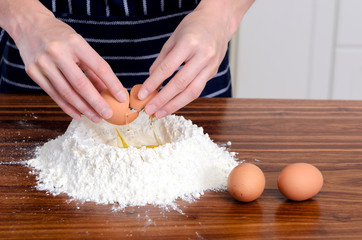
column 128, row 34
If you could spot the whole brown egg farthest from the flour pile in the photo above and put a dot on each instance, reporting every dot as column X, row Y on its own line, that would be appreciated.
column 300, row 181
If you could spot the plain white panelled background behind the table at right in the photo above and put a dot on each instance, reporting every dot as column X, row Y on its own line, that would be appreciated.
column 310, row 49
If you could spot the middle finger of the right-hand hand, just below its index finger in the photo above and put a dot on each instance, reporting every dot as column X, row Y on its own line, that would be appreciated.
column 176, row 85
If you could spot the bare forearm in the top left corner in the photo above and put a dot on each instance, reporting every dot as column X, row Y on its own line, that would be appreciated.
column 16, row 15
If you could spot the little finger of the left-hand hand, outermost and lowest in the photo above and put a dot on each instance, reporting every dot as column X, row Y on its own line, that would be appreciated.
column 38, row 77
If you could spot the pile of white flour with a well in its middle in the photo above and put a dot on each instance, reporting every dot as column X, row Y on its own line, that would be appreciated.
column 87, row 164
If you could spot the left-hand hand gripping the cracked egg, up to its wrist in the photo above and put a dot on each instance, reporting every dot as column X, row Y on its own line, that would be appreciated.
column 55, row 57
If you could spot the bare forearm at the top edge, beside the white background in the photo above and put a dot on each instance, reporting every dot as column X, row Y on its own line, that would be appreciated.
column 230, row 12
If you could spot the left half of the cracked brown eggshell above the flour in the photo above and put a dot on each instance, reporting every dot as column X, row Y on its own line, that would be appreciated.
column 121, row 113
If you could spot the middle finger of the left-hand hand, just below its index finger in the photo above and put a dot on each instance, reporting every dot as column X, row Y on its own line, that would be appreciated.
column 82, row 86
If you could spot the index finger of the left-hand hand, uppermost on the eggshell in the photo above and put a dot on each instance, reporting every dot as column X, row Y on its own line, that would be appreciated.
column 90, row 59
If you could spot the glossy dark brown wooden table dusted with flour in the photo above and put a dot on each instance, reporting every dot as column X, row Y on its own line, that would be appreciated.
column 270, row 133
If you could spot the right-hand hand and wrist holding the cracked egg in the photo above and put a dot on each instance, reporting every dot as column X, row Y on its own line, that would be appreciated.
column 200, row 43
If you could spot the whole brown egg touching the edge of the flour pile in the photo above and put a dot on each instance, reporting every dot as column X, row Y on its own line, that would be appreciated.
column 246, row 182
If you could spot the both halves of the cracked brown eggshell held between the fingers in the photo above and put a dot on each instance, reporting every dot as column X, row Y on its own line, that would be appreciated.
column 122, row 114
